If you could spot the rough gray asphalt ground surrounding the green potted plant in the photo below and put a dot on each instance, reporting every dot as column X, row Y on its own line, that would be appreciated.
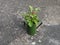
column 12, row 30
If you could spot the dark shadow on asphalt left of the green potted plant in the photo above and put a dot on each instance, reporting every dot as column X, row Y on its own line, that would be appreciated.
column 11, row 31
